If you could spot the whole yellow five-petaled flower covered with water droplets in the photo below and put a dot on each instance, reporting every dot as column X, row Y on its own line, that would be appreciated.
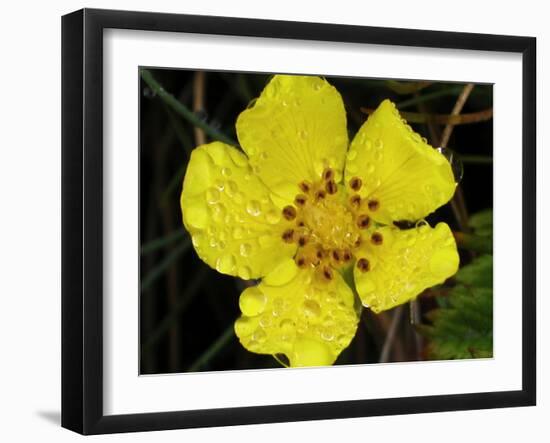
column 312, row 216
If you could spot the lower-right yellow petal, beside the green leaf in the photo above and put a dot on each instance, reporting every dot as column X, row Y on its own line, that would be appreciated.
column 404, row 264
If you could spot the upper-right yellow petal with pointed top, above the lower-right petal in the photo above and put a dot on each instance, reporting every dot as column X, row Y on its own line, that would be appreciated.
column 404, row 176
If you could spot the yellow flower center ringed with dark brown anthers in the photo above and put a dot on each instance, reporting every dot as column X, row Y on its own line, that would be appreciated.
column 328, row 221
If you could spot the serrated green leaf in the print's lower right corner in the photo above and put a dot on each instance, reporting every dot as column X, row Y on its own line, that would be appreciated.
column 462, row 327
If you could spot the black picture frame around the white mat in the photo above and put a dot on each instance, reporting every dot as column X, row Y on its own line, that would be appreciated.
column 82, row 220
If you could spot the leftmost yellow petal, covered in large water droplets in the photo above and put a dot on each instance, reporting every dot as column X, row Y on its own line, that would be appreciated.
column 235, row 226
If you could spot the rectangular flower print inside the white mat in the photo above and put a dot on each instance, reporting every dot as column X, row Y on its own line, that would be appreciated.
column 300, row 220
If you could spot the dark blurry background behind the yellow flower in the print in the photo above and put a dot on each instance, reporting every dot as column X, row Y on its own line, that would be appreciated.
column 187, row 309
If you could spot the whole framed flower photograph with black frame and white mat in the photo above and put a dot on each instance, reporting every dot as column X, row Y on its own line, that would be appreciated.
column 269, row 221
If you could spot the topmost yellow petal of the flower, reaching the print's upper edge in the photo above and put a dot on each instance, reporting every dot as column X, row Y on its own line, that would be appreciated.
column 295, row 129
